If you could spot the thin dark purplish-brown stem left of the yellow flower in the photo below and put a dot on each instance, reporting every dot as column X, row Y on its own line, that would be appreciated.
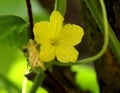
column 29, row 9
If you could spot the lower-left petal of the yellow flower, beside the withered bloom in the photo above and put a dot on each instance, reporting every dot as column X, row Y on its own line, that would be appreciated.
column 47, row 53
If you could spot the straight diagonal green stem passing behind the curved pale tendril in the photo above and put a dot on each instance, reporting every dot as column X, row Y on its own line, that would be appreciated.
column 113, row 40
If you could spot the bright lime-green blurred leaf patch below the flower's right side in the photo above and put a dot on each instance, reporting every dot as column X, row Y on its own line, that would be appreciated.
column 86, row 78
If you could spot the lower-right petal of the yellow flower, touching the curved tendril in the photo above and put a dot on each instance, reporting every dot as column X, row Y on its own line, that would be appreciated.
column 66, row 53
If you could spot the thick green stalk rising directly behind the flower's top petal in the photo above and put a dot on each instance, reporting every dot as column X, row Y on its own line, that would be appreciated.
column 60, row 5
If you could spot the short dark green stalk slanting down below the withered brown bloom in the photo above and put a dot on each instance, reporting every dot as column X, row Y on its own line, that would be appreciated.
column 37, row 82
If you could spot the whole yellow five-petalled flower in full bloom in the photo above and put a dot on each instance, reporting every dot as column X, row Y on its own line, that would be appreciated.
column 57, row 40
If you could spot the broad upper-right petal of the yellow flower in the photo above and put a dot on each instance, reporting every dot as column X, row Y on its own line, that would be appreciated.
column 71, row 34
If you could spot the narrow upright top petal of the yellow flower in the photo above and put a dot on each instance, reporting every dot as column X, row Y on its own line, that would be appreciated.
column 56, row 21
